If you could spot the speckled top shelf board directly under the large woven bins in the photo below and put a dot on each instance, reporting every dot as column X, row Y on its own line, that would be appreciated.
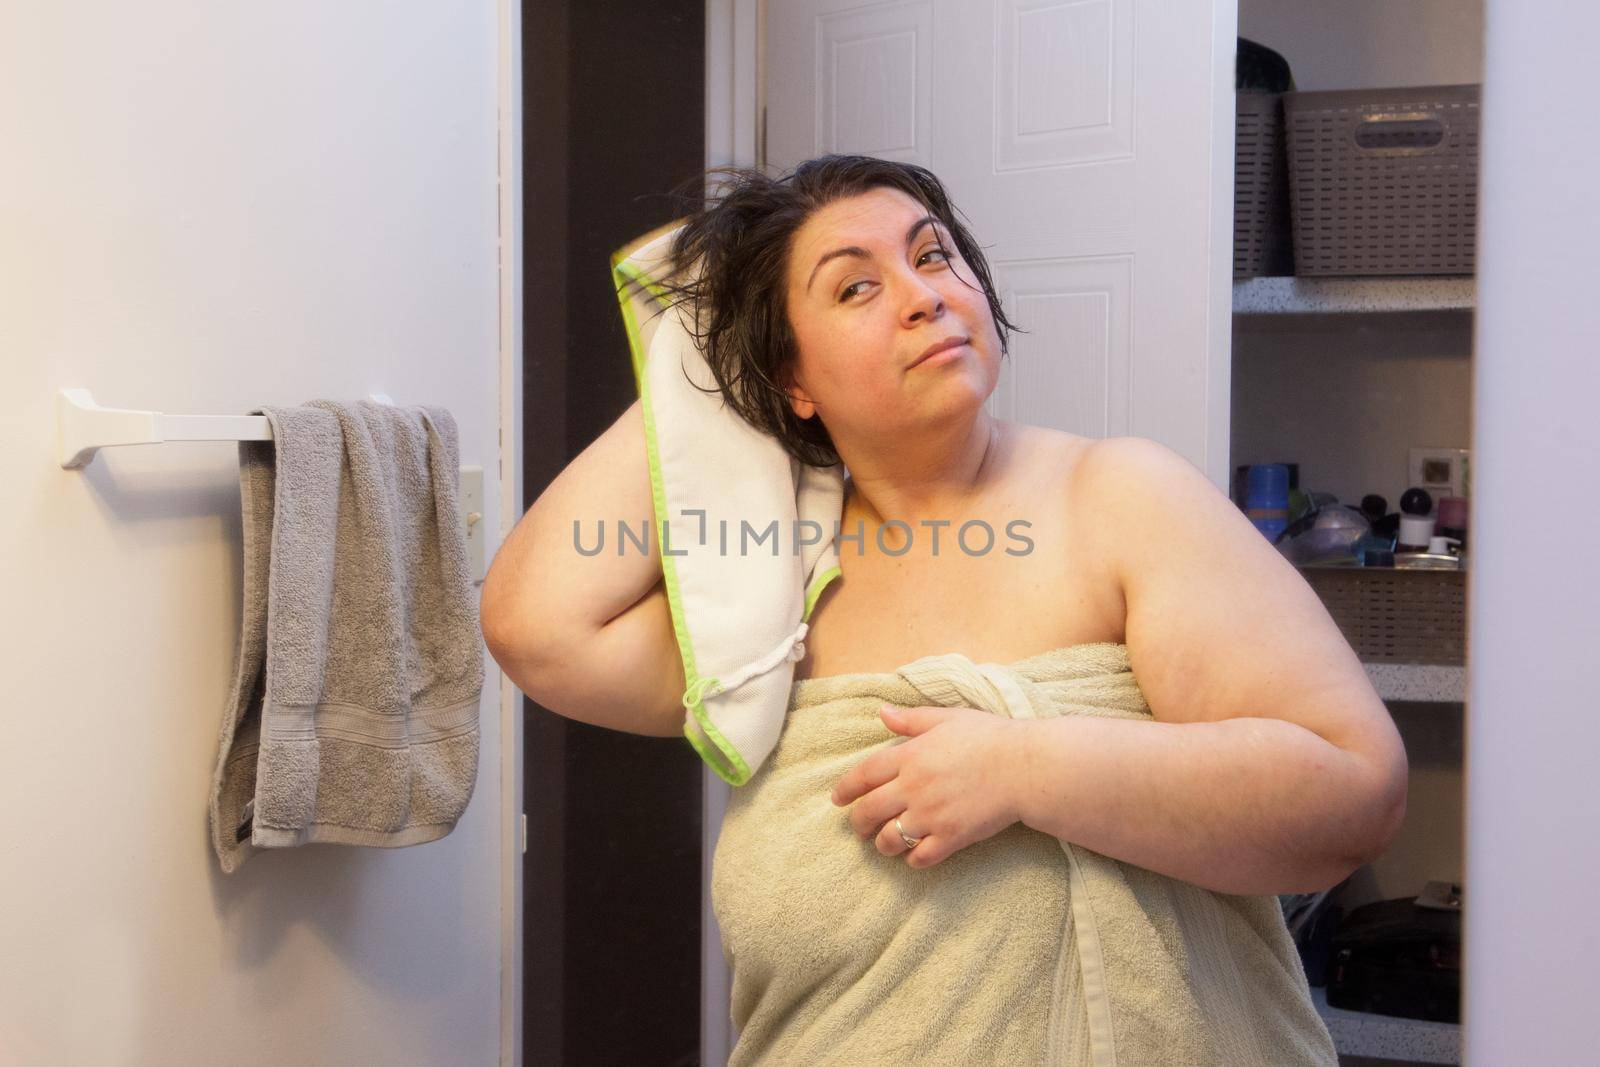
column 1322, row 297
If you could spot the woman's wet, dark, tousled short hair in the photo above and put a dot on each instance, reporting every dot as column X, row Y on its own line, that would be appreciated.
column 730, row 265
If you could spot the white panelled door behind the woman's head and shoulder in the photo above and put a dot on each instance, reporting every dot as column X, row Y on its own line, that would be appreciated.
column 1090, row 143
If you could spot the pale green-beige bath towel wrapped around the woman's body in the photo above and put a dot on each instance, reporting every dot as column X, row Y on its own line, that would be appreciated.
column 1020, row 949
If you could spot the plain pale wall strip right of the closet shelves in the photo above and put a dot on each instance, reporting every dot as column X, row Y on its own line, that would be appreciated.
column 1534, row 732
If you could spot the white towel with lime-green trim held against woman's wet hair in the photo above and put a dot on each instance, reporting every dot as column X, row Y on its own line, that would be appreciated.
column 748, row 533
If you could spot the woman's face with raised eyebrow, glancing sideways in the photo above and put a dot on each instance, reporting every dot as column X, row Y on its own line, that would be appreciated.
column 870, row 292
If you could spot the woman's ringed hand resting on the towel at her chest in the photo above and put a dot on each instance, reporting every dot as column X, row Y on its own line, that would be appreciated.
column 950, row 783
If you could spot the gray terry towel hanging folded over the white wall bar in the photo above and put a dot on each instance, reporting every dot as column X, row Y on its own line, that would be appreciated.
column 354, row 711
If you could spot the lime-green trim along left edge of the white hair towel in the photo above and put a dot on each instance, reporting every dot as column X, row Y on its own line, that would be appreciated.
column 721, row 754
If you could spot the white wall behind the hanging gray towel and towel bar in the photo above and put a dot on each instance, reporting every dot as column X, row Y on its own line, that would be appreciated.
column 204, row 209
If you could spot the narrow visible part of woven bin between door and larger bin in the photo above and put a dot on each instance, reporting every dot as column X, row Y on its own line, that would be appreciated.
column 1262, row 188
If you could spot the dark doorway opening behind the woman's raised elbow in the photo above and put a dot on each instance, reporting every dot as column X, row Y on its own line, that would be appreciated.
column 614, row 118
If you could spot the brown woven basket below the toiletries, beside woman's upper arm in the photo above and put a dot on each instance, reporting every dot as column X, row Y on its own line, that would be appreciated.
column 1396, row 617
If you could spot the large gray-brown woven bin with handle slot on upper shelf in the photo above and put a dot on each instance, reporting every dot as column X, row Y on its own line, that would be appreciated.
column 1385, row 182
